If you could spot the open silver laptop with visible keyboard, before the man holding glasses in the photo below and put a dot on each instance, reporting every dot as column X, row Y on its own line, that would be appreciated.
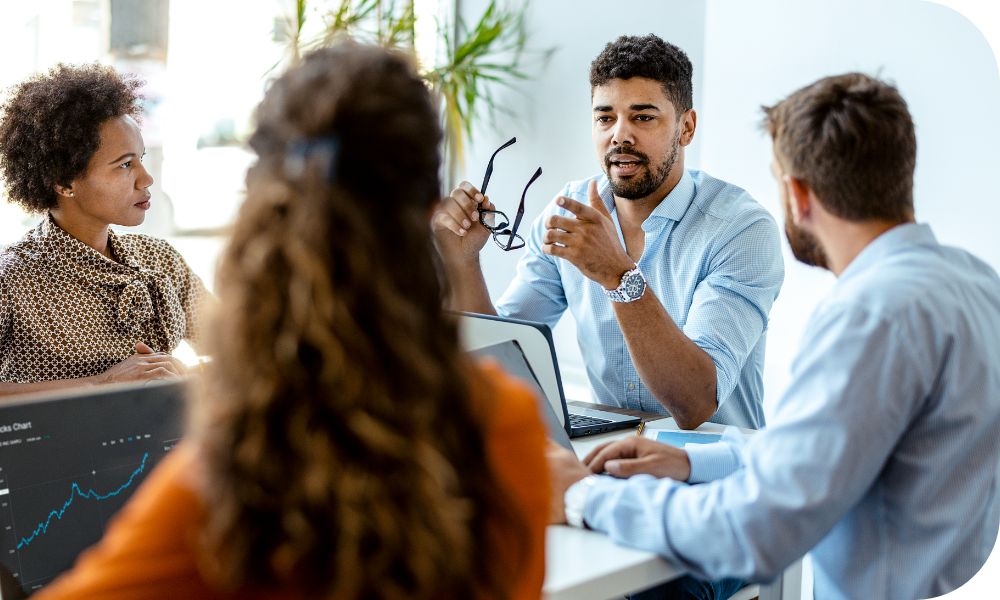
column 535, row 341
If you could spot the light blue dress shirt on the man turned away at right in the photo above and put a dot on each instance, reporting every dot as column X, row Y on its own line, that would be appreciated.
column 881, row 457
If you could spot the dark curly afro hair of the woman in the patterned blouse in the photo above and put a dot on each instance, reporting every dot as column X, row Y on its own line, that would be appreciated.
column 49, row 127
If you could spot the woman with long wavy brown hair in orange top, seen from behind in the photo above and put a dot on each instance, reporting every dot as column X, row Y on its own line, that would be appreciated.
column 342, row 446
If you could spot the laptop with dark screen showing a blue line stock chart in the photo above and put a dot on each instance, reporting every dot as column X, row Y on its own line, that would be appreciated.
column 68, row 462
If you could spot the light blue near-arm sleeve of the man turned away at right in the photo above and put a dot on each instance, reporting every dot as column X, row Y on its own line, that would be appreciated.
column 798, row 478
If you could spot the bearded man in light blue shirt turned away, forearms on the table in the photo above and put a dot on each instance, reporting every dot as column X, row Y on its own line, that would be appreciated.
column 882, row 457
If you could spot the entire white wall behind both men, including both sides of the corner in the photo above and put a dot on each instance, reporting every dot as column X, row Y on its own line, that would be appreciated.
column 746, row 54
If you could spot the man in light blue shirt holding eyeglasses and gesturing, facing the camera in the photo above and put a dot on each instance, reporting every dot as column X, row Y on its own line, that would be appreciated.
column 670, row 274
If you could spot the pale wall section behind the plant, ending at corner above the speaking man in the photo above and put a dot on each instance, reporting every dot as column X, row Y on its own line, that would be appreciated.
column 553, row 118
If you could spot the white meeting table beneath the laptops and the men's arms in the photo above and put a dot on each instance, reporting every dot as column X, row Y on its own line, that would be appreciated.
column 587, row 565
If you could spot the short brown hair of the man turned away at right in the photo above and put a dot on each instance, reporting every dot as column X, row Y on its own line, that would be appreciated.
column 851, row 138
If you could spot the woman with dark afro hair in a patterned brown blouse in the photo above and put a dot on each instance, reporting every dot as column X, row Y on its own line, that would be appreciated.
column 79, row 303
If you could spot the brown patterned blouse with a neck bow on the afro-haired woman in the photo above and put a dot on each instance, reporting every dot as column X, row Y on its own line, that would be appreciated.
column 68, row 311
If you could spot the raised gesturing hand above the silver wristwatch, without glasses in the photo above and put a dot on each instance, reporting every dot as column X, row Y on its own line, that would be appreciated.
column 587, row 239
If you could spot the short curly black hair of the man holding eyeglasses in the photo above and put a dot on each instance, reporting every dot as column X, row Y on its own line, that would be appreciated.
column 650, row 57
